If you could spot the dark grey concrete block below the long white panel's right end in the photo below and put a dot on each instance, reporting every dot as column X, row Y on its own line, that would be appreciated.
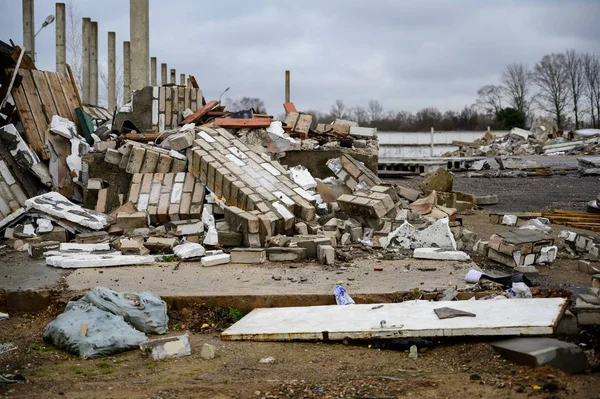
column 533, row 352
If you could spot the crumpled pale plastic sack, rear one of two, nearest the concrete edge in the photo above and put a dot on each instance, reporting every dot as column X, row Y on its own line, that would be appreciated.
column 145, row 311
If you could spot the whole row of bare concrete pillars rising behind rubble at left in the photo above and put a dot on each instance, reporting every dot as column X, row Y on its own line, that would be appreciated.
column 137, row 71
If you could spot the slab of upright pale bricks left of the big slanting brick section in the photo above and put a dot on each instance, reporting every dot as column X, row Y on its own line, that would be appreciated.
column 167, row 196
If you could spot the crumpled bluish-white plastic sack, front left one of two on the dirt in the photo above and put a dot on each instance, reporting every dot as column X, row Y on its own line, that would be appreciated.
column 87, row 331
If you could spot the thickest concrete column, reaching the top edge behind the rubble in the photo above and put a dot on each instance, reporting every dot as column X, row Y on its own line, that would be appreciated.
column 139, row 34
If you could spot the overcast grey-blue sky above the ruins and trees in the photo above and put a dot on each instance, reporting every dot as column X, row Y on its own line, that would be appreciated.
column 406, row 54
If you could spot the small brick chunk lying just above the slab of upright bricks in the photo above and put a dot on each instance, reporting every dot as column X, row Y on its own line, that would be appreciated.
column 143, row 158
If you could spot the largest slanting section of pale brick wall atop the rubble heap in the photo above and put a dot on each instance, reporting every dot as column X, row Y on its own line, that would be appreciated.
column 261, row 199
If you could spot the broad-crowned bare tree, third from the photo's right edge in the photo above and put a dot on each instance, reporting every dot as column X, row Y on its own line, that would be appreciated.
column 550, row 75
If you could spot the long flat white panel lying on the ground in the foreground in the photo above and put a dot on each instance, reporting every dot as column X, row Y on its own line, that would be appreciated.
column 537, row 316
